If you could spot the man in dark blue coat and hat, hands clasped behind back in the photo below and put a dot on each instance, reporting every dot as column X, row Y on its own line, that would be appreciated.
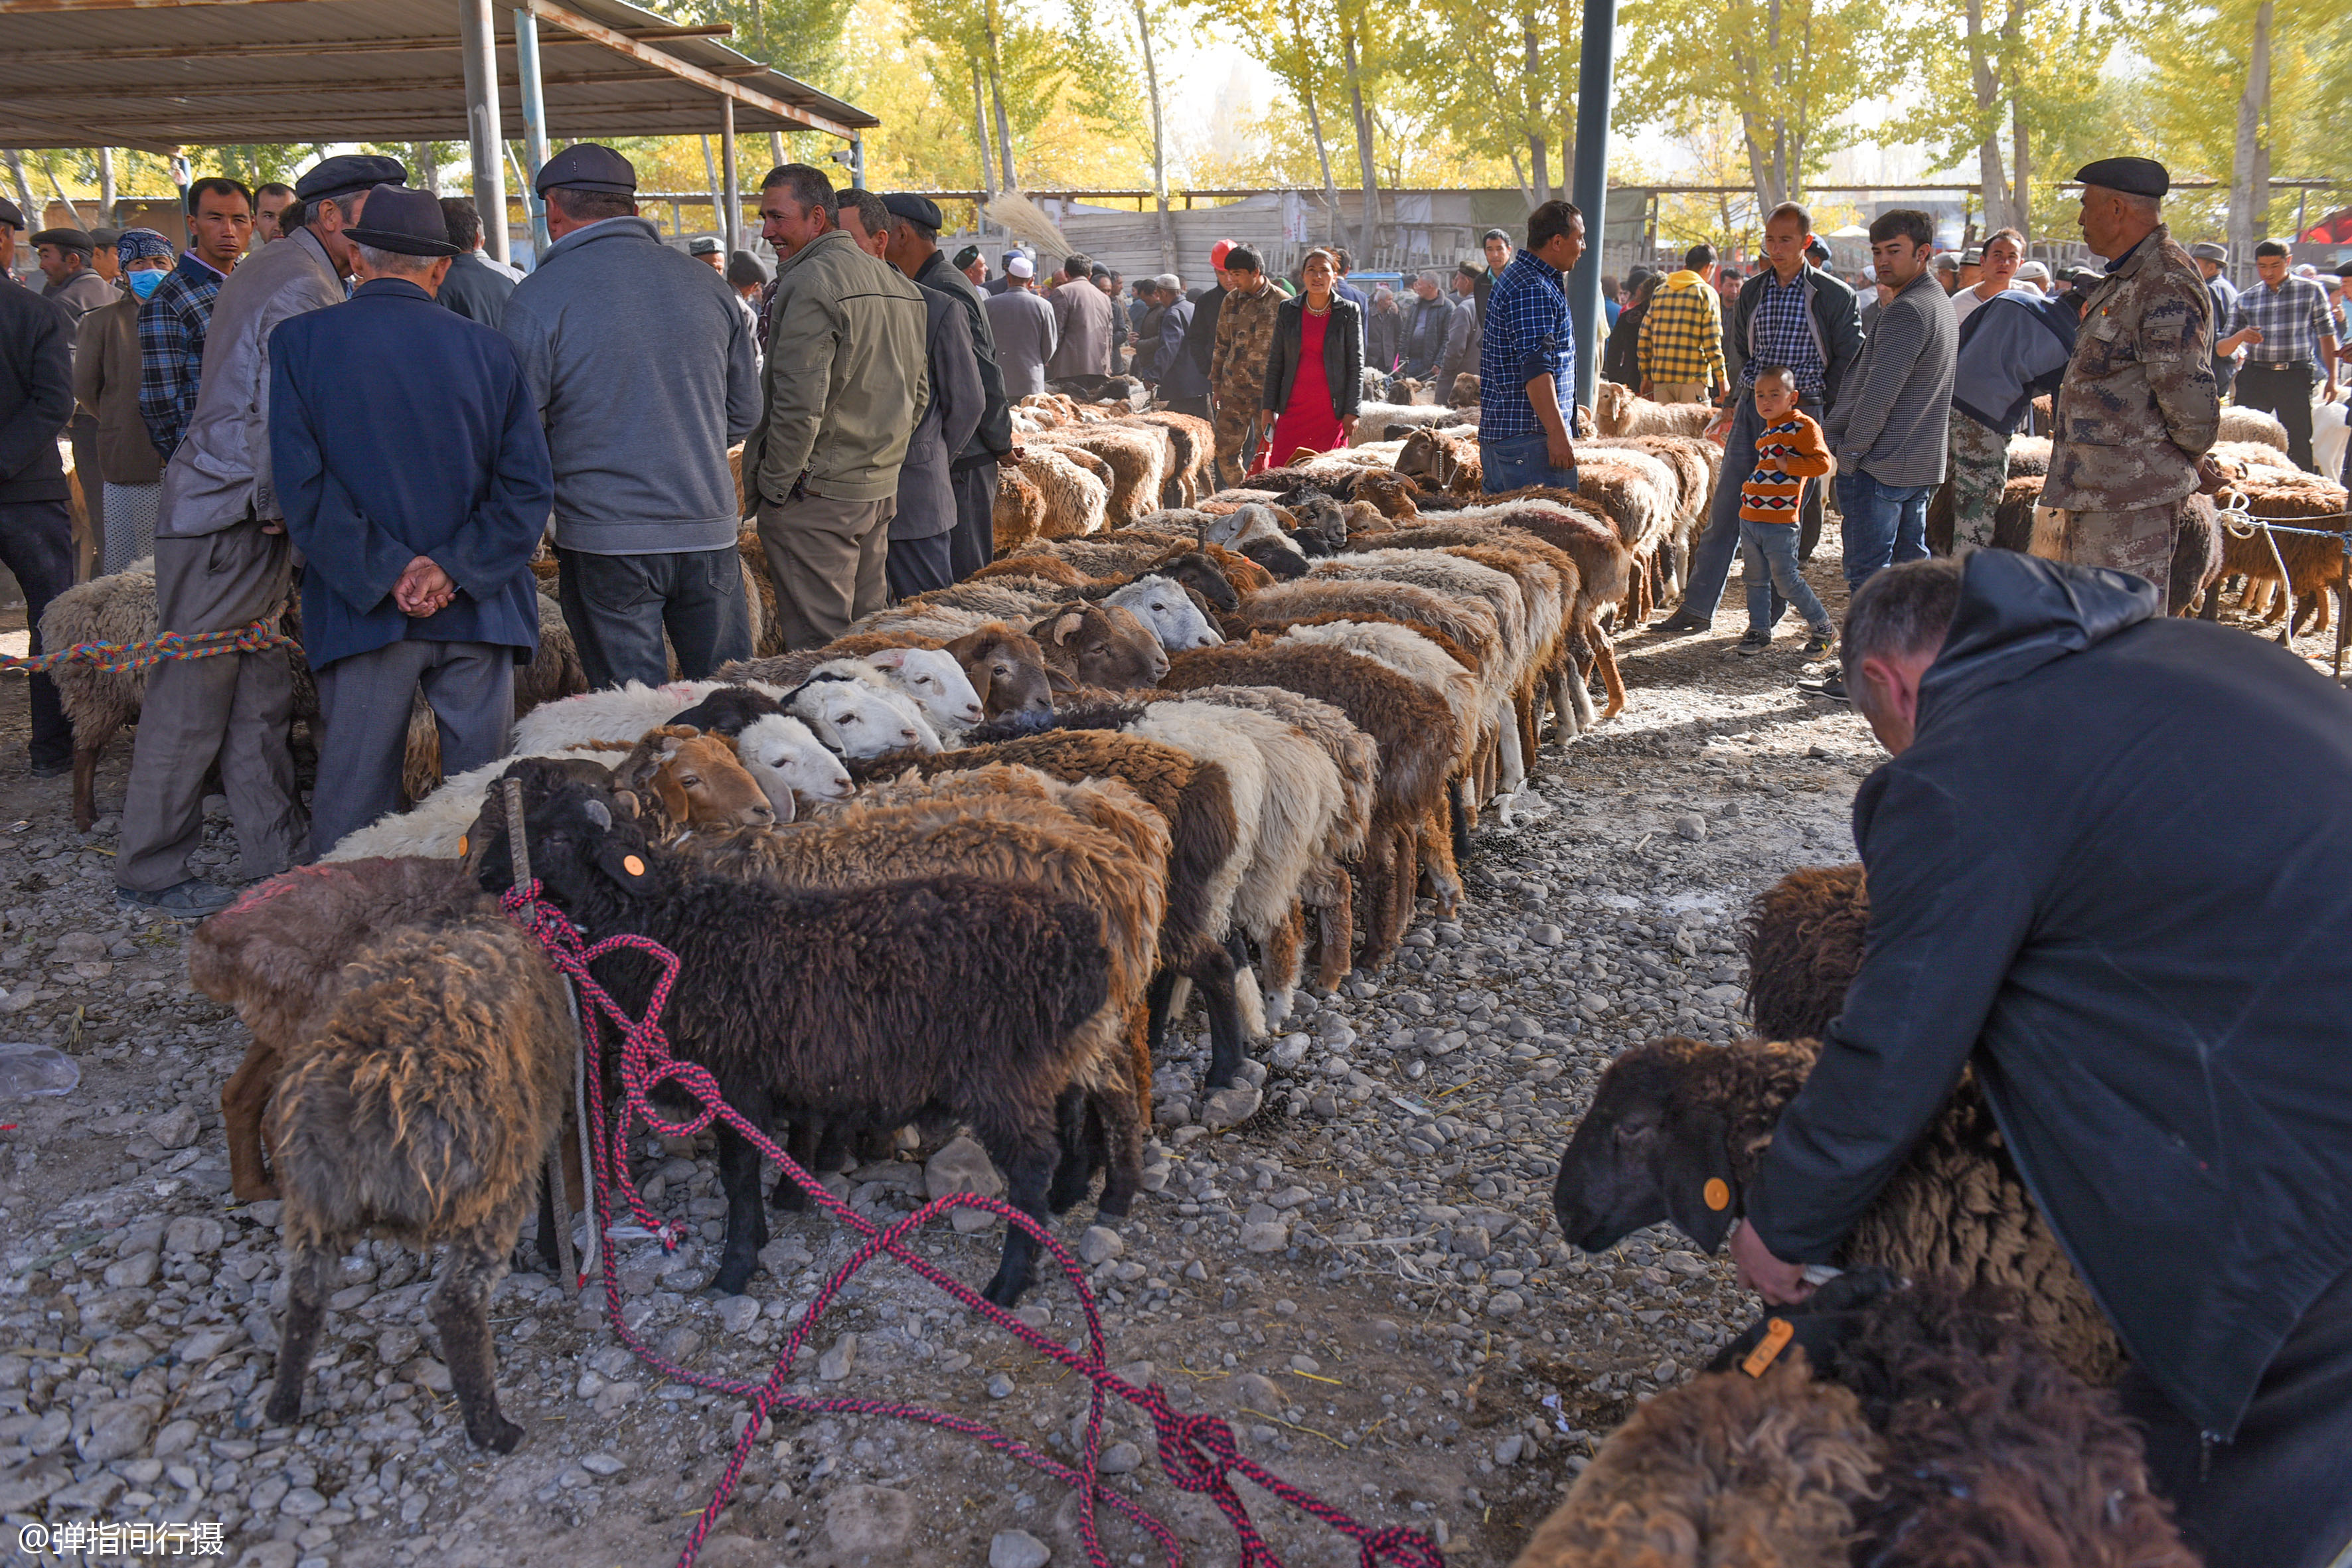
column 415, row 478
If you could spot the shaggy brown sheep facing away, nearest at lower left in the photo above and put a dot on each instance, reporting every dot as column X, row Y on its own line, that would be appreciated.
column 425, row 1108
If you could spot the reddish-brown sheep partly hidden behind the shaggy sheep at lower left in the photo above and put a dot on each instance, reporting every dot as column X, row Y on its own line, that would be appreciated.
column 276, row 956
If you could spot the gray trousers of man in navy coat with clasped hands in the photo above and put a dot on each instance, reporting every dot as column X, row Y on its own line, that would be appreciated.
column 366, row 706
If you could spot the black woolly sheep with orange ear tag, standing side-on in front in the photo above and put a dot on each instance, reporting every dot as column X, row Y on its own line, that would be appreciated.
column 864, row 1007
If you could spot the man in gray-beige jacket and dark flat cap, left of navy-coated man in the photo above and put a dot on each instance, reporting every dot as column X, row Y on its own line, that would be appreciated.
column 222, row 563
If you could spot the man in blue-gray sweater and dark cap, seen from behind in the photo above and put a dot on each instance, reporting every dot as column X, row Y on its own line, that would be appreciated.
column 643, row 373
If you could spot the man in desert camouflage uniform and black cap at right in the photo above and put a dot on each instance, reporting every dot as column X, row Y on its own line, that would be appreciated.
column 2137, row 410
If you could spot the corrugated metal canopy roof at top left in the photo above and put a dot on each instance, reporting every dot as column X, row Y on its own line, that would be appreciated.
column 161, row 74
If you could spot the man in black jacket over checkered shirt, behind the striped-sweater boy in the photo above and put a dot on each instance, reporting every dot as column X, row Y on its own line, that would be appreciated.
column 1789, row 314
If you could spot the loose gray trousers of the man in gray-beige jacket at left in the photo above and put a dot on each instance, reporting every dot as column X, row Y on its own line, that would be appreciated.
column 232, row 709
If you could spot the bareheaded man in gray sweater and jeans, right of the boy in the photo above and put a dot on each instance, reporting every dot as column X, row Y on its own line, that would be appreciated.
column 1895, row 408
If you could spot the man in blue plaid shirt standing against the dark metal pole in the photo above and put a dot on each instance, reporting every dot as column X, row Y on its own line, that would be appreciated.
column 1528, row 361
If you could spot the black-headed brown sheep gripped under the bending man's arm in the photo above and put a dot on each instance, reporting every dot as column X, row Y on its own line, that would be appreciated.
column 1678, row 1132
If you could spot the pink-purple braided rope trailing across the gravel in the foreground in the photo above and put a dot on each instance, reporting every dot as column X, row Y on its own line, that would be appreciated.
column 1196, row 1452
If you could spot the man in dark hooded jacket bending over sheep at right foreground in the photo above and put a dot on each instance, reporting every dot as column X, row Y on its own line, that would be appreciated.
column 2111, row 869
